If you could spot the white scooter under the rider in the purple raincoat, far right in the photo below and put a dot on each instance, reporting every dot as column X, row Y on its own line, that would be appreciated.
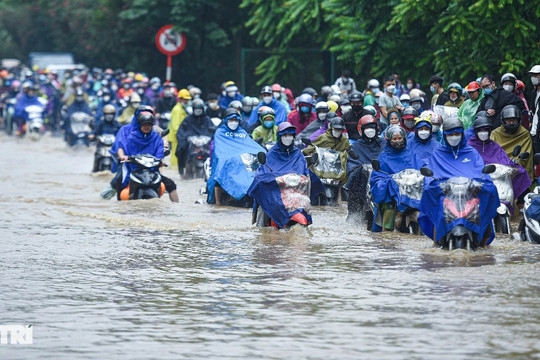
column 502, row 178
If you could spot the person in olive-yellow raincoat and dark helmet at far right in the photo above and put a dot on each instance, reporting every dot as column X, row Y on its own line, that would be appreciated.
column 511, row 133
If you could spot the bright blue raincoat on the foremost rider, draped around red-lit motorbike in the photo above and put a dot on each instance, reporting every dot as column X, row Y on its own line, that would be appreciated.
column 447, row 163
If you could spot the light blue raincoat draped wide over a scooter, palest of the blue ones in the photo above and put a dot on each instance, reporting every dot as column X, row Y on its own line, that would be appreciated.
column 228, row 169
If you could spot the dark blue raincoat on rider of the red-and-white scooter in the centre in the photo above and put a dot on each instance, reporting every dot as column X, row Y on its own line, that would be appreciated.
column 266, row 191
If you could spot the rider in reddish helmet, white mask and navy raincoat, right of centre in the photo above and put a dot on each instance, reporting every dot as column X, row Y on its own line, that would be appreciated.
column 367, row 147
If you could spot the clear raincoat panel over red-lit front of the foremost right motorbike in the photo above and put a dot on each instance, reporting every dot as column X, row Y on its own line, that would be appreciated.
column 461, row 199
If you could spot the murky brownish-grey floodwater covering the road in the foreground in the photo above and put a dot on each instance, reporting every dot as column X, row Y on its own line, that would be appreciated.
column 102, row 279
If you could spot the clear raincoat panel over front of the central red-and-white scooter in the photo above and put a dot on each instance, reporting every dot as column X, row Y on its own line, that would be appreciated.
column 294, row 192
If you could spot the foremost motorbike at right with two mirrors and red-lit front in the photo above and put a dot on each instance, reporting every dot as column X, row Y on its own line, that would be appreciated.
column 461, row 204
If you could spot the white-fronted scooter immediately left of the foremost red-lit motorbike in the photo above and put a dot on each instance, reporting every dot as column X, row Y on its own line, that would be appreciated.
column 410, row 183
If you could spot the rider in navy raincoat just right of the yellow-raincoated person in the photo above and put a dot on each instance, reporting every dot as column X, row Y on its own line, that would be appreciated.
column 196, row 124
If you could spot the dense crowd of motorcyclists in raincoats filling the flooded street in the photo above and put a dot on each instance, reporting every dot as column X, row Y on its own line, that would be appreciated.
column 389, row 151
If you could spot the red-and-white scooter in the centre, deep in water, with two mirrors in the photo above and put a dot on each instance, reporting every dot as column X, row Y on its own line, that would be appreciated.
column 295, row 190
